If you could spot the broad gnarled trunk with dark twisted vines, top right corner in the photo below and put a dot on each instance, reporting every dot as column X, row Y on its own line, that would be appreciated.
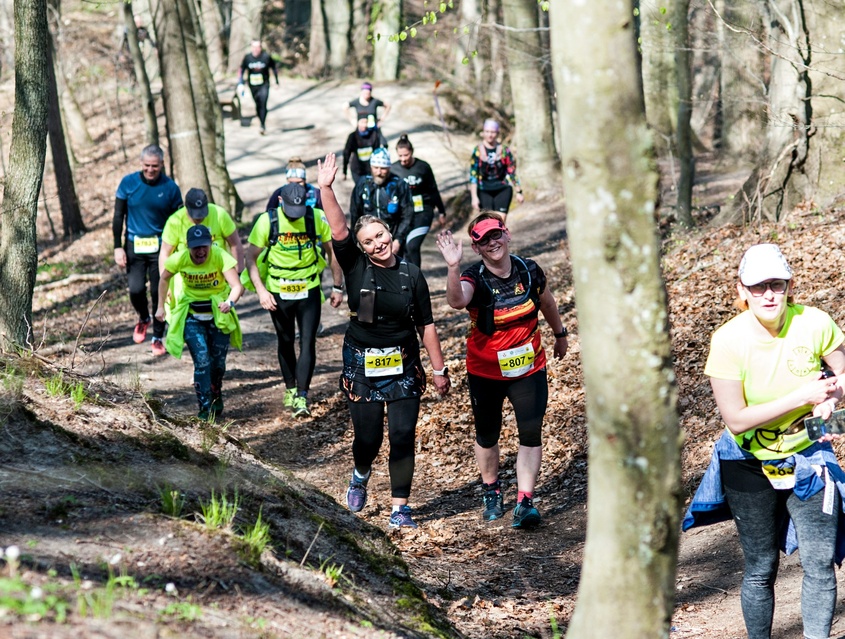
column 805, row 128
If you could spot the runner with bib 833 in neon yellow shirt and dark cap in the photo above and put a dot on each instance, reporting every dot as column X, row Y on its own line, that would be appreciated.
column 288, row 244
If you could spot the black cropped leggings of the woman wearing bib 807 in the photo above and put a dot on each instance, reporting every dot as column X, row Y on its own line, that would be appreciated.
column 529, row 396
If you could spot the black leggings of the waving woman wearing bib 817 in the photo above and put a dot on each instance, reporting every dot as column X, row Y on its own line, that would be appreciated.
column 368, row 424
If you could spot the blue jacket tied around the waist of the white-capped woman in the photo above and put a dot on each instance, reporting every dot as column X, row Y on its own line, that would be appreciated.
column 816, row 469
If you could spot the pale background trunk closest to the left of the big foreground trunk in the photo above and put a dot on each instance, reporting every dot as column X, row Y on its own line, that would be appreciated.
column 531, row 100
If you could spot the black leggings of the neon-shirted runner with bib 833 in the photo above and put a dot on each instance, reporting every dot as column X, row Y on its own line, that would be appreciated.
column 288, row 315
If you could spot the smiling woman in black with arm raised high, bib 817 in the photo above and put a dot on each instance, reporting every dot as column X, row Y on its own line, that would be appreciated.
column 390, row 310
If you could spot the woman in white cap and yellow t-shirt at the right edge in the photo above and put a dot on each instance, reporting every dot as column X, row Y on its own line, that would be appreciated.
column 765, row 368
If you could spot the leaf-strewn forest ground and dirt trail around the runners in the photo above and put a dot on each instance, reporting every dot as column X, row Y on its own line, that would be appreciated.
column 82, row 480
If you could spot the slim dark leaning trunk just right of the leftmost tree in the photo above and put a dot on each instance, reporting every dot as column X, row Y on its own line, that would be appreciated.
column 71, row 215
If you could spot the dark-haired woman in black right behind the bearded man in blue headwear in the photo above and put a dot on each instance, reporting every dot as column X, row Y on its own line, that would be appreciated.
column 424, row 194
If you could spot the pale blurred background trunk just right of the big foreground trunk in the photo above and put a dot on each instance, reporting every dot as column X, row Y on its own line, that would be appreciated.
column 658, row 71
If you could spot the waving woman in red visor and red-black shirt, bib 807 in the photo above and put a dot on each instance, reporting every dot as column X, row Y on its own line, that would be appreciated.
column 504, row 295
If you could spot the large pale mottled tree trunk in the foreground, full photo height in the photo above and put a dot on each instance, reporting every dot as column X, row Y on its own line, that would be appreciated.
column 628, row 577
